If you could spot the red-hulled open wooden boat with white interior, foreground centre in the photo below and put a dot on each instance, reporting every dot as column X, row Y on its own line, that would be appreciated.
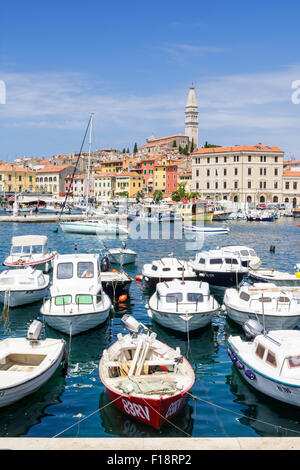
column 146, row 379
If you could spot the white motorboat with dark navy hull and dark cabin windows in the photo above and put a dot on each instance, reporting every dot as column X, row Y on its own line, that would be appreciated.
column 219, row 267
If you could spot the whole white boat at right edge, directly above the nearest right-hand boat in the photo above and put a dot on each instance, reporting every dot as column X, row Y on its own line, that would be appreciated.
column 277, row 307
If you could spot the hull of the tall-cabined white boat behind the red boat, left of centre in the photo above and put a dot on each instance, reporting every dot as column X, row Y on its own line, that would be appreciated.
column 74, row 324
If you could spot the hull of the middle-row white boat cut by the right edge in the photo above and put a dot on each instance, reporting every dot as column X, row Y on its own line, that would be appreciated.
column 273, row 322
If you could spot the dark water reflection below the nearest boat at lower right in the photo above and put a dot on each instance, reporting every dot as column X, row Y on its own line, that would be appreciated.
column 266, row 417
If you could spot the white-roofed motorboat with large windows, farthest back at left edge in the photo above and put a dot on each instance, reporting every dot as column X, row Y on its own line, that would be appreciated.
column 30, row 250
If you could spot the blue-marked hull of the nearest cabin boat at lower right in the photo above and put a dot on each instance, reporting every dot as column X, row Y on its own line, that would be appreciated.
column 274, row 388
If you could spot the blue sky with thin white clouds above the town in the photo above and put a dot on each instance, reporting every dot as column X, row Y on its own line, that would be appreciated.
column 131, row 63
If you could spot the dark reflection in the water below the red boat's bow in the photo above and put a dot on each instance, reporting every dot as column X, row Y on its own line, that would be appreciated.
column 116, row 423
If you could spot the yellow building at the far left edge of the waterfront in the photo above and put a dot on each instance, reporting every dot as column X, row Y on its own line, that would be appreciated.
column 14, row 178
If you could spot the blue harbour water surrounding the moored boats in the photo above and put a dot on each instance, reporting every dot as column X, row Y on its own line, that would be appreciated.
column 77, row 406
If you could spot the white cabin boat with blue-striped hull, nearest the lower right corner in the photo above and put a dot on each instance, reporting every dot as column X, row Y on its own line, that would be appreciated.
column 269, row 362
